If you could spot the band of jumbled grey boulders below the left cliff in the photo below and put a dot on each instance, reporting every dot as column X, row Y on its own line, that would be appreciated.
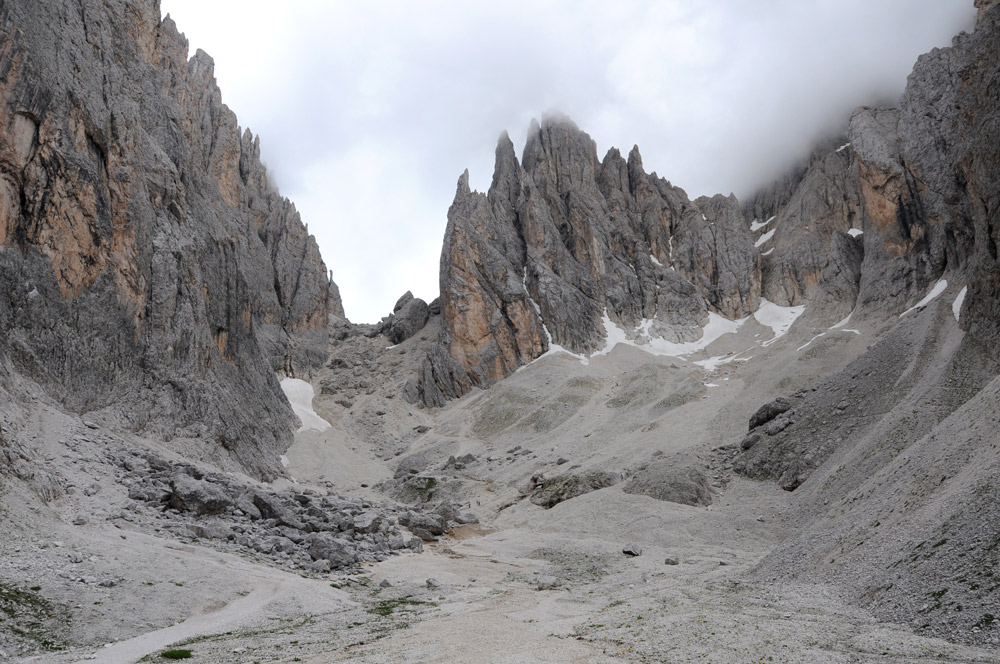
column 310, row 531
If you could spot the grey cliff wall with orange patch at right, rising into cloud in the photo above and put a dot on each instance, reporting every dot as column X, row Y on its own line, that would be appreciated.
column 917, row 185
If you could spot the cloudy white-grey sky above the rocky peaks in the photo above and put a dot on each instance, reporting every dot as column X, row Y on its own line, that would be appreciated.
column 369, row 111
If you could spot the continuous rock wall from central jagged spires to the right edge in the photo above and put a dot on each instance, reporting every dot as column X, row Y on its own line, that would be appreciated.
column 868, row 223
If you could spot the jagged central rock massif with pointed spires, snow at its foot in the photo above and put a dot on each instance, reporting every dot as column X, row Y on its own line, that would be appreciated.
column 562, row 238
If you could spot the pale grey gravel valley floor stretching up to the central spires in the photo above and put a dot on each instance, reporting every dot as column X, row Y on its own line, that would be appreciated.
column 115, row 569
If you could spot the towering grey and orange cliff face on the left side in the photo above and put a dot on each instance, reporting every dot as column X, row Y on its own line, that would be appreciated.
column 149, row 270
